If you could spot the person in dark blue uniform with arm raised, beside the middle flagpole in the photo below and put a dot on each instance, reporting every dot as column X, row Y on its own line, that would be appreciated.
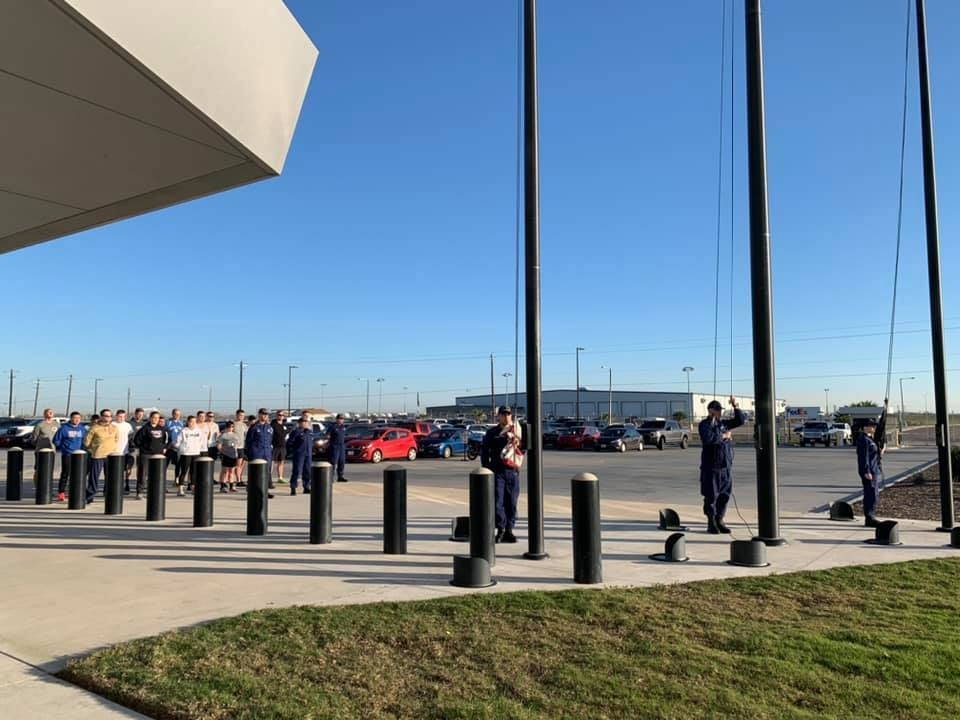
column 716, row 463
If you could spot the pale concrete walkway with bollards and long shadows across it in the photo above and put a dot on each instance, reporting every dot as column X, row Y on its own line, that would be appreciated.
column 79, row 580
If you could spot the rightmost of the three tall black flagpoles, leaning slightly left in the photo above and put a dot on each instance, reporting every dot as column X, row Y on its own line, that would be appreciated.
column 933, row 275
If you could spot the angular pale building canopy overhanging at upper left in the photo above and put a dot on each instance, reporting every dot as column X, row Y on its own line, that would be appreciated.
column 113, row 108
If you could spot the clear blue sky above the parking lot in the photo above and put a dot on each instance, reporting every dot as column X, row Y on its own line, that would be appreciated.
column 386, row 248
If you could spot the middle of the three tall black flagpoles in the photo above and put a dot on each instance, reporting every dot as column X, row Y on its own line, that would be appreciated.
column 765, row 434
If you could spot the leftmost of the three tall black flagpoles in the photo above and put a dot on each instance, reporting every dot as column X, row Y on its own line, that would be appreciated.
column 531, row 235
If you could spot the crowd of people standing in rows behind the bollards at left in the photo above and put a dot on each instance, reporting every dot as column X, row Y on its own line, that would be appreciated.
column 182, row 441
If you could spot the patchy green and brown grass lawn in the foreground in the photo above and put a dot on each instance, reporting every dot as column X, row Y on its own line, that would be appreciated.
column 865, row 642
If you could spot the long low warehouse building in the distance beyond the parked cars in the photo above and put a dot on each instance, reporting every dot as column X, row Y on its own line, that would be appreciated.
column 595, row 404
